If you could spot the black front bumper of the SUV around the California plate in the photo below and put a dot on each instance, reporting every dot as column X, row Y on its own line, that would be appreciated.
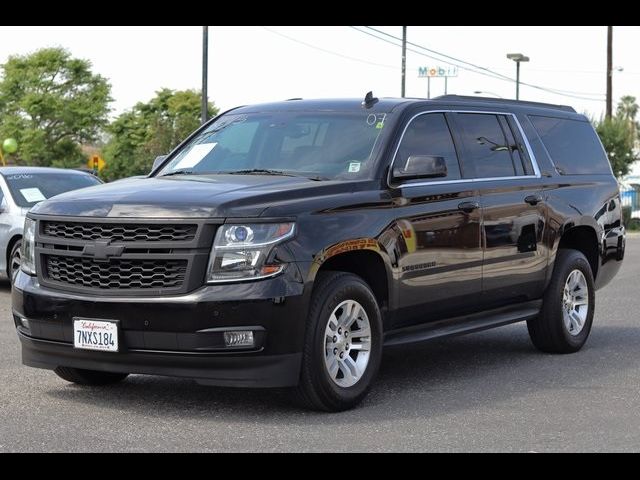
column 173, row 336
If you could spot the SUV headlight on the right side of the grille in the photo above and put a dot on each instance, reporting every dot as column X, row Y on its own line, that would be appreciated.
column 240, row 252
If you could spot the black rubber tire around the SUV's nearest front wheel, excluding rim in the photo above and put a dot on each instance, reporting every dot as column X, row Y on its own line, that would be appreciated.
column 321, row 391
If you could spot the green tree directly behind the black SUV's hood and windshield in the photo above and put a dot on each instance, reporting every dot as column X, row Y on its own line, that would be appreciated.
column 151, row 129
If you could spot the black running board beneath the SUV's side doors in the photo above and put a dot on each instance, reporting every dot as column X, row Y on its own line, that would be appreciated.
column 465, row 324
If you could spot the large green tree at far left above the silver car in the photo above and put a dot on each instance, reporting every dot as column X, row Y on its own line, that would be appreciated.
column 51, row 103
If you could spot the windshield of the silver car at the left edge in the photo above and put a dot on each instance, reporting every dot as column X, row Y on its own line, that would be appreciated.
column 27, row 189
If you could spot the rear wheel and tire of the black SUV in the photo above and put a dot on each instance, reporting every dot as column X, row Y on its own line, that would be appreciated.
column 565, row 321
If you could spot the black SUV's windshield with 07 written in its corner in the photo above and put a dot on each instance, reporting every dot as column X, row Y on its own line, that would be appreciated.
column 319, row 145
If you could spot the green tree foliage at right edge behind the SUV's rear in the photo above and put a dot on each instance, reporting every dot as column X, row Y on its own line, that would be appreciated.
column 619, row 136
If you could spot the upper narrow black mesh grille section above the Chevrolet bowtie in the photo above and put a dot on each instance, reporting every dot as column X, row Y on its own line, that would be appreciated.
column 121, row 232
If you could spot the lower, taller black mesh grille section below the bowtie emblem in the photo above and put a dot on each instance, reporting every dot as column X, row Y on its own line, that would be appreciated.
column 117, row 274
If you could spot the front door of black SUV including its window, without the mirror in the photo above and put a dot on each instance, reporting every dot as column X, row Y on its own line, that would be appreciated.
column 438, row 255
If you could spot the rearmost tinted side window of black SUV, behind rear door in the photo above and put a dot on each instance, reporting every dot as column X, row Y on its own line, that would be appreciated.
column 573, row 145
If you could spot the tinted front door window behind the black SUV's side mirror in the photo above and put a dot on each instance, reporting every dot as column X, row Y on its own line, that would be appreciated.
column 429, row 134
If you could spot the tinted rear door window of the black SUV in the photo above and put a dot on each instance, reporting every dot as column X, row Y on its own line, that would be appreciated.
column 485, row 142
